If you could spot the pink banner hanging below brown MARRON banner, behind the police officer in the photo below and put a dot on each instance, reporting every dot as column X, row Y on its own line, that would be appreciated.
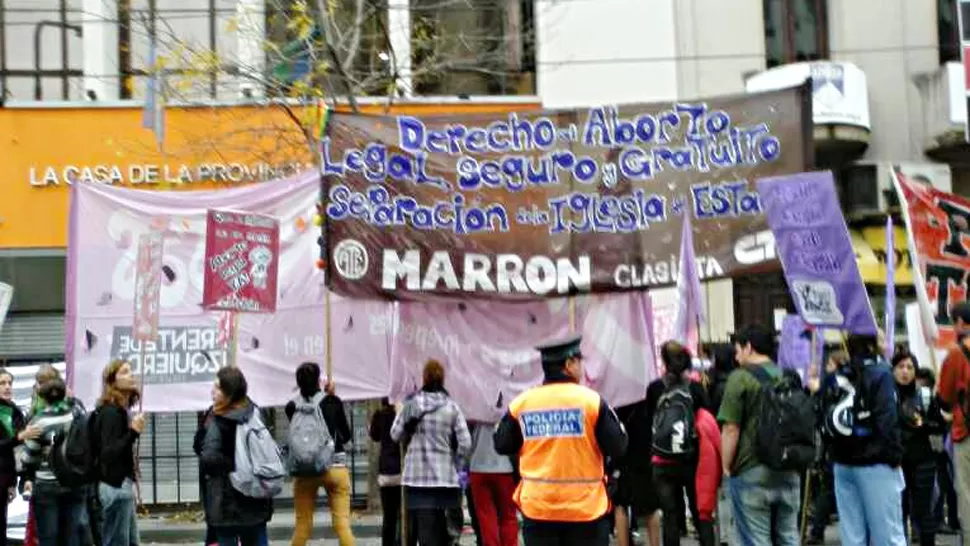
column 489, row 348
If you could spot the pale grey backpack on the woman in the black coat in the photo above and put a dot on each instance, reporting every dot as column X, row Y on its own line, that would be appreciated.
column 259, row 469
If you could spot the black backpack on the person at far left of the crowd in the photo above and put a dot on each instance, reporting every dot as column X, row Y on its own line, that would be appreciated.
column 73, row 455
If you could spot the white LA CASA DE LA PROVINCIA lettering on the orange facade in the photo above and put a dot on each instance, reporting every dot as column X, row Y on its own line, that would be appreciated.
column 150, row 173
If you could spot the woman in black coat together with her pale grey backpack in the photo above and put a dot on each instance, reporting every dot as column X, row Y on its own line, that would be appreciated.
column 238, row 493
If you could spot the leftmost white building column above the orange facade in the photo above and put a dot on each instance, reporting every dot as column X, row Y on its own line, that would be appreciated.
column 100, row 39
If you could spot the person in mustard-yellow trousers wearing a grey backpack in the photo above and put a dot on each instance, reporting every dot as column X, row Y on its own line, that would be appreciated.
column 317, row 458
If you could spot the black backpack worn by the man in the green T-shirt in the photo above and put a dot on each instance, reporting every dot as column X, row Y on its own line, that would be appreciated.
column 785, row 439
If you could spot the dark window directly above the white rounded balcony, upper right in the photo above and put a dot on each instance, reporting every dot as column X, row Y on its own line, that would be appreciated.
column 795, row 31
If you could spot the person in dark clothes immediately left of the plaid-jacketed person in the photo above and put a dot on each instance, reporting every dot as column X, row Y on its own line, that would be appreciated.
column 388, row 471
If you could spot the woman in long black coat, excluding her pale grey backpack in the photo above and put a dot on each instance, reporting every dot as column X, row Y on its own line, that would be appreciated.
column 234, row 516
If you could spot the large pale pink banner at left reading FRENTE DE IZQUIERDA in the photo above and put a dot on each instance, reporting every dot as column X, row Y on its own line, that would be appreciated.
column 178, row 368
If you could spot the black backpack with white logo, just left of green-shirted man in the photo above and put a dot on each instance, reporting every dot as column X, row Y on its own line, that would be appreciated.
column 674, row 435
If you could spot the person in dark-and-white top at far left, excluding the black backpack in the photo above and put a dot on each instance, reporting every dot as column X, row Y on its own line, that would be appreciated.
column 58, row 507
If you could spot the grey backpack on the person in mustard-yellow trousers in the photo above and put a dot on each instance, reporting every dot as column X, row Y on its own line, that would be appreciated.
column 311, row 446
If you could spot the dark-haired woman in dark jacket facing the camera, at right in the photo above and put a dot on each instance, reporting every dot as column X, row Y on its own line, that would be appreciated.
column 920, row 419
